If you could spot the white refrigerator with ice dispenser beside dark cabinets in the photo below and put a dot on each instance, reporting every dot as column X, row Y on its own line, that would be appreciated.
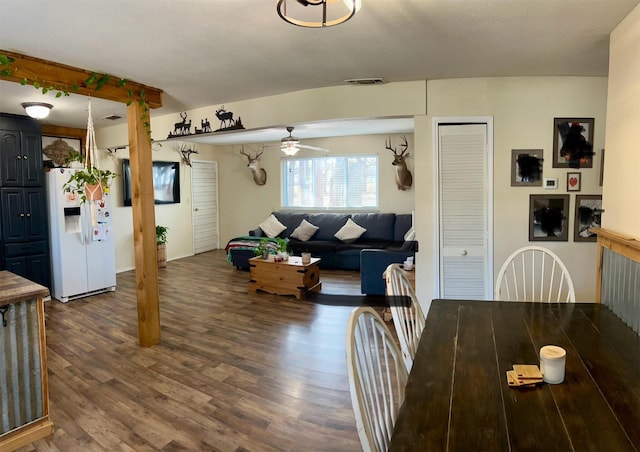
column 83, row 259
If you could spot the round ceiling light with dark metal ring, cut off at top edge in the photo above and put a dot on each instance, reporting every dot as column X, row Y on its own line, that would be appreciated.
column 323, row 13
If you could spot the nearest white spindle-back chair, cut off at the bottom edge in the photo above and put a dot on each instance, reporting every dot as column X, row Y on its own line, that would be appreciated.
column 377, row 377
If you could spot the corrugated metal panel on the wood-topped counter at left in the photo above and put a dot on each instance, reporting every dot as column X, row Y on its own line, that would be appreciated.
column 20, row 370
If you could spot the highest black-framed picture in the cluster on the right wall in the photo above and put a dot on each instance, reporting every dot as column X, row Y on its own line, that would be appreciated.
column 573, row 142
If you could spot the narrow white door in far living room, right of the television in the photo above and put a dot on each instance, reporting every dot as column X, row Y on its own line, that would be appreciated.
column 204, row 189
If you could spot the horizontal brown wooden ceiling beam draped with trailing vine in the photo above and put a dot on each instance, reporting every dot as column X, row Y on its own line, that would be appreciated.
column 64, row 78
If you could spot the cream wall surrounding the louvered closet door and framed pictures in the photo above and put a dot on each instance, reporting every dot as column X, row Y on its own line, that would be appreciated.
column 523, row 109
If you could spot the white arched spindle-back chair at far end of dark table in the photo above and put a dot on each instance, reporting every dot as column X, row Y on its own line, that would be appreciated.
column 534, row 273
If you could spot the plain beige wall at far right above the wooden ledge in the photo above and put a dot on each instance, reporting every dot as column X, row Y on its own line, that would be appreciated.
column 621, row 191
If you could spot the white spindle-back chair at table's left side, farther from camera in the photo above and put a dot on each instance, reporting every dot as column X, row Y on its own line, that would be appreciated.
column 407, row 314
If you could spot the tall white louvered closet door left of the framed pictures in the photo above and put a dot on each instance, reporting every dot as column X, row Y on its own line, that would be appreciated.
column 463, row 211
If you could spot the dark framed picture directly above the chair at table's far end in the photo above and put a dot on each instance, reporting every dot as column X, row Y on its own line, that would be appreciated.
column 548, row 218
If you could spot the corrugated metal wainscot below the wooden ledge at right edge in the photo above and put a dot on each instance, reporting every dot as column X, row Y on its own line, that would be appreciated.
column 621, row 287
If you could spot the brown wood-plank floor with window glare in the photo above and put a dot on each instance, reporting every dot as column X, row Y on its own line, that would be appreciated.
column 235, row 371
